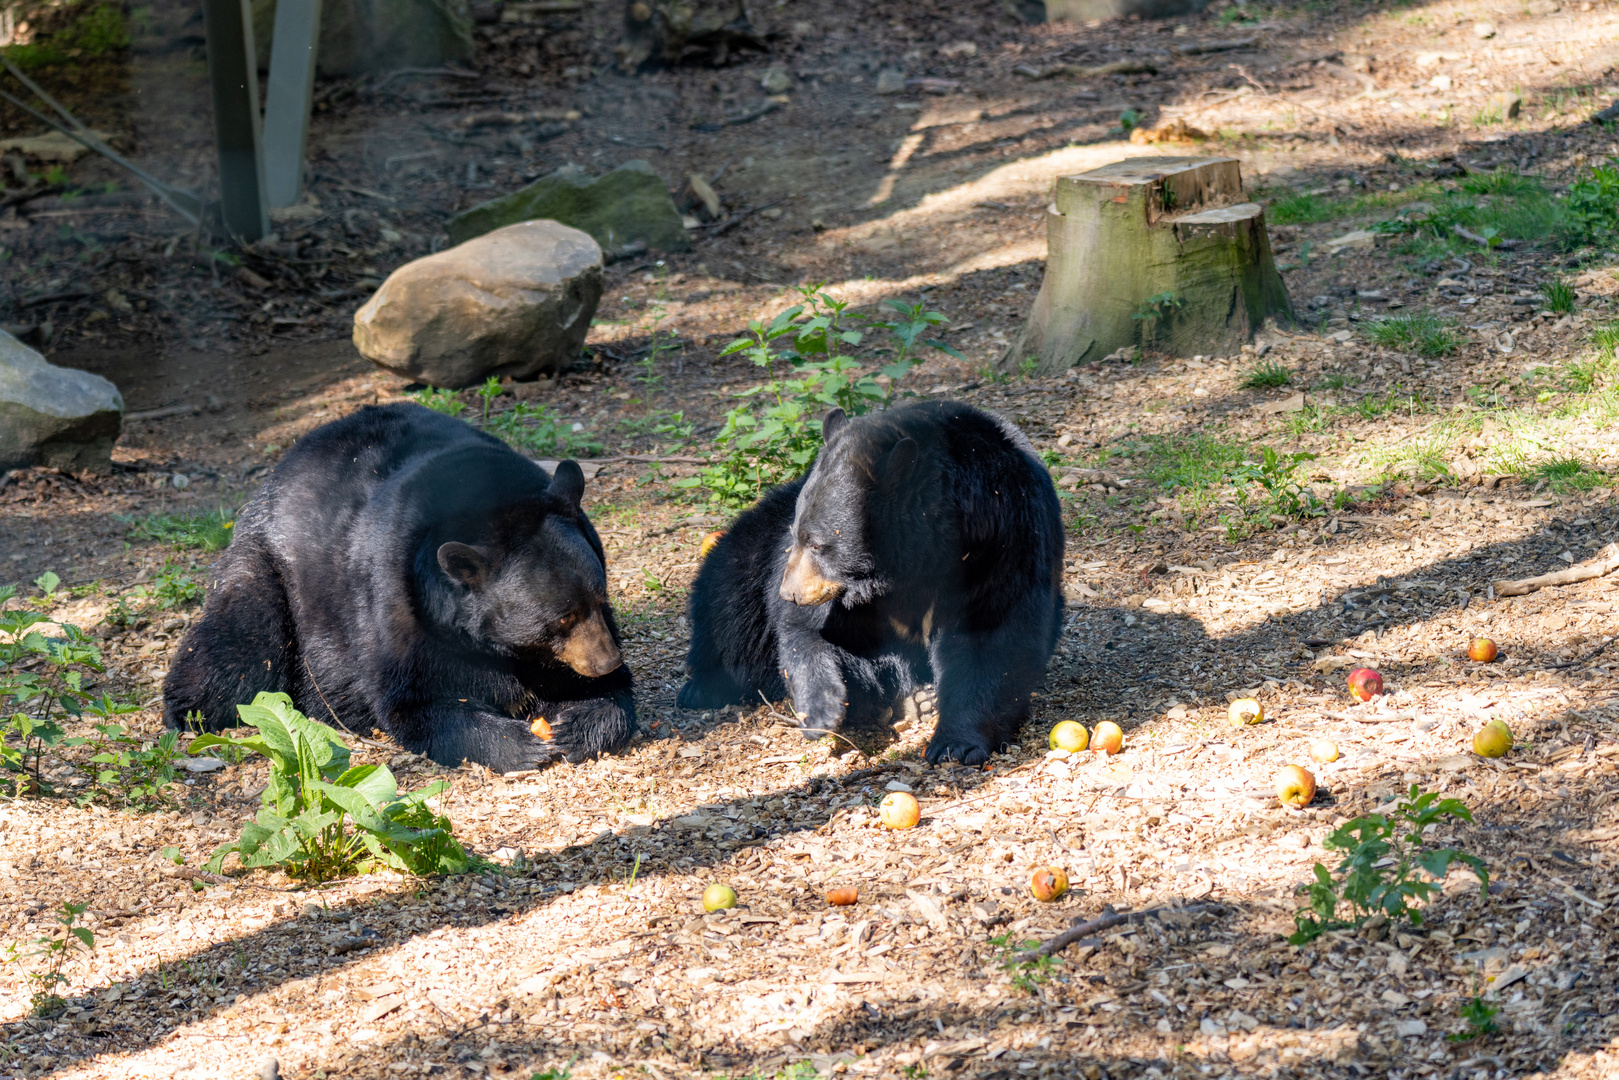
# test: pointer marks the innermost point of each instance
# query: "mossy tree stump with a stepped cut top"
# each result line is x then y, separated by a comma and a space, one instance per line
1150, 252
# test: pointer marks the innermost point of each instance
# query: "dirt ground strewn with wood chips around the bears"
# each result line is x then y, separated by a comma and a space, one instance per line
587, 950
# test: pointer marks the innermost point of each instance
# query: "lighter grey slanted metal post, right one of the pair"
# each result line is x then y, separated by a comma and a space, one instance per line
287, 98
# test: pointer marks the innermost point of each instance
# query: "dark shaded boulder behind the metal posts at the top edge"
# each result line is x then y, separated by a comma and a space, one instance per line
362, 36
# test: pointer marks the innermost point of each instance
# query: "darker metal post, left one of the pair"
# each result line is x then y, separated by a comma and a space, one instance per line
234, 74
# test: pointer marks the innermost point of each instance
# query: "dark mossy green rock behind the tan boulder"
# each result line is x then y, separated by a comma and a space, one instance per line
631, 205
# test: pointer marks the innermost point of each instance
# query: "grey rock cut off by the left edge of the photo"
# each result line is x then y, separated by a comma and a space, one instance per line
56, 417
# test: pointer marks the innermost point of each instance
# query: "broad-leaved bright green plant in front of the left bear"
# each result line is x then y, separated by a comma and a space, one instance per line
320, 817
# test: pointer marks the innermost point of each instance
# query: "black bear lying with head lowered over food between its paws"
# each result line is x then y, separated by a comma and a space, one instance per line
407, 572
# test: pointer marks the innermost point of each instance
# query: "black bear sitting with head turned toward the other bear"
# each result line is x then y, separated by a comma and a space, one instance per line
925, 545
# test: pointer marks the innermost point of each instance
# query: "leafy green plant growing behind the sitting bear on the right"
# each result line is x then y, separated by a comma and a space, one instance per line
807, 355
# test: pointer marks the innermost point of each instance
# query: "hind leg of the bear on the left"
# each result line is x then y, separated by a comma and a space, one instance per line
244, 645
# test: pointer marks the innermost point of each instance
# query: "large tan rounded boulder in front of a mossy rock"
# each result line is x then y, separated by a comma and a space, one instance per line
516, 302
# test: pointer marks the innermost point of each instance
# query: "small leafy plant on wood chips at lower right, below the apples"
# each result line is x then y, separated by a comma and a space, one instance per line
1379, 874
